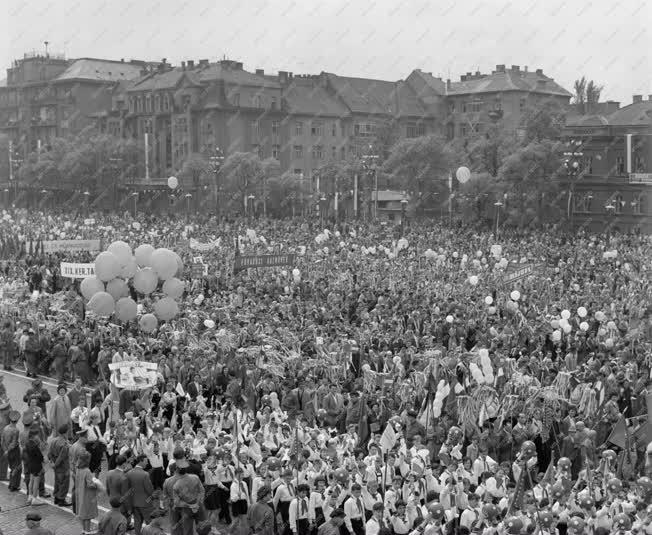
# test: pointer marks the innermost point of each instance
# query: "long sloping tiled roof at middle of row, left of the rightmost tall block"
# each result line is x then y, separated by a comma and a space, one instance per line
364, 95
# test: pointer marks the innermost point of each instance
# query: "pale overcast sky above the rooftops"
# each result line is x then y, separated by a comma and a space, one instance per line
605, 40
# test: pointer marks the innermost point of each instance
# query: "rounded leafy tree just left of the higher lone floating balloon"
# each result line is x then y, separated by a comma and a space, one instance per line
419, 165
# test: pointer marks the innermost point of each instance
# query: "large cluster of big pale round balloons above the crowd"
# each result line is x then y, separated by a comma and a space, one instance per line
108, 291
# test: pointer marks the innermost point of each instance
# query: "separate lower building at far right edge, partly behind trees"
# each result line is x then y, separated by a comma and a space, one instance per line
613, 186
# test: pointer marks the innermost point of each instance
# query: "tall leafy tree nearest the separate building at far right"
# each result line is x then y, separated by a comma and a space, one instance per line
530, 178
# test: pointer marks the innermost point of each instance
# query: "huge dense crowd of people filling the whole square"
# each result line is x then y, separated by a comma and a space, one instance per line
392, 380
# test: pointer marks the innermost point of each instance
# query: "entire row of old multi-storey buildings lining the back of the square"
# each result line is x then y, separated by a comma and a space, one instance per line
305, 121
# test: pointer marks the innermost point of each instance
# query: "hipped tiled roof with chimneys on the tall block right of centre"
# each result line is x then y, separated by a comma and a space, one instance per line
508, 81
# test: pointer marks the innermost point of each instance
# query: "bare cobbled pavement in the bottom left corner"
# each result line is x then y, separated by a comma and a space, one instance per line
12, 515
